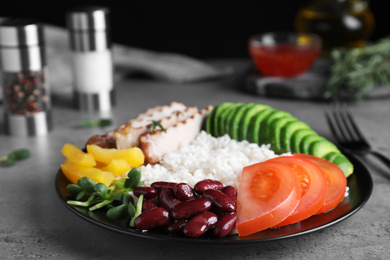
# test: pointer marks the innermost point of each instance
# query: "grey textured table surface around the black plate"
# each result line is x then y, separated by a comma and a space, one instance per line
35, 224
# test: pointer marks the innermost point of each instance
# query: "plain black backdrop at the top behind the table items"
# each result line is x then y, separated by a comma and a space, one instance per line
201, 29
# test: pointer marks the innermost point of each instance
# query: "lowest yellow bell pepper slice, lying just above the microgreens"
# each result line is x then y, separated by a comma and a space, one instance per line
73, 172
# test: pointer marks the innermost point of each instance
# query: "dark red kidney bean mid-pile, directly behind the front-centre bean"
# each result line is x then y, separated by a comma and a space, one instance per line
189, 208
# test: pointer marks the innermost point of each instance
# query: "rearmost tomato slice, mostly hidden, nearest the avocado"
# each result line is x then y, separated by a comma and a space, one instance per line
336, 180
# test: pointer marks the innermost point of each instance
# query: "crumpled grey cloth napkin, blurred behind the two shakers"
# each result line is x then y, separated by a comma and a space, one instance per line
171, 67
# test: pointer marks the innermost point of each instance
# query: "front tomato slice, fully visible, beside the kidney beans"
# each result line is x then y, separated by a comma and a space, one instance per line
267, 194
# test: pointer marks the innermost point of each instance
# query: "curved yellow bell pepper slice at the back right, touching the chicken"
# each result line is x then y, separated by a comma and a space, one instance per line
133, 156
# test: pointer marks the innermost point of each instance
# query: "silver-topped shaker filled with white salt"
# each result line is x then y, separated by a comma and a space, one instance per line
92, 59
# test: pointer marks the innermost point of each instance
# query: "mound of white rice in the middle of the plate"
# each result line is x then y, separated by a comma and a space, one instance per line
207, 157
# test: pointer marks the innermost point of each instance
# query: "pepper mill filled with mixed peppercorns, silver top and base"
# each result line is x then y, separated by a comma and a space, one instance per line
24, 78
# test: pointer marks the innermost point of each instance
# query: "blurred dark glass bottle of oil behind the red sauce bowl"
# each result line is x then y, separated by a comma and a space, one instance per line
340, 23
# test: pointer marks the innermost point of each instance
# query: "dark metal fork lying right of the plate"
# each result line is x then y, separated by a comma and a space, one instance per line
347, 133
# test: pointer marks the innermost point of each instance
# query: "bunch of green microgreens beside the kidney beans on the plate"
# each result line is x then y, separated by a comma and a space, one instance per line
116, 198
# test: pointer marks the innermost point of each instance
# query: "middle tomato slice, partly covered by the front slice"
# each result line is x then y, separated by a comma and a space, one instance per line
313, 185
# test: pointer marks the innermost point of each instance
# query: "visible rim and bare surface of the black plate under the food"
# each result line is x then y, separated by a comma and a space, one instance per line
360, 187
